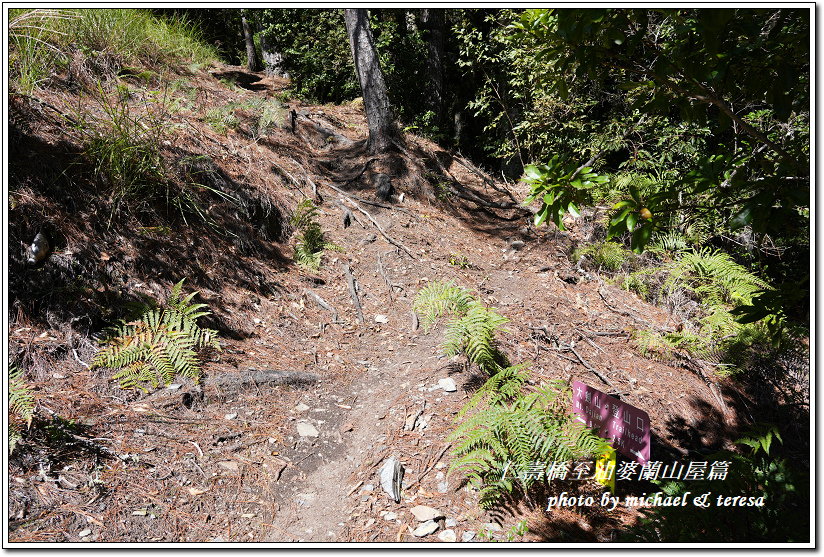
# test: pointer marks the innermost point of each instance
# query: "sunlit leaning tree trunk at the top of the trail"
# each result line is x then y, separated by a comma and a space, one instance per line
382, 128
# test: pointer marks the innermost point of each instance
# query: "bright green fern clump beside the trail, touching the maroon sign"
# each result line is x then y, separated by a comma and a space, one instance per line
513, 426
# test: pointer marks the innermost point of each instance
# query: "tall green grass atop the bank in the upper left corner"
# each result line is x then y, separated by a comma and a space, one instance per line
40, 39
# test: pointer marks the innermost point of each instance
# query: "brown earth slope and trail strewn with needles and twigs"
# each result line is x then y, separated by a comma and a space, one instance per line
226, 462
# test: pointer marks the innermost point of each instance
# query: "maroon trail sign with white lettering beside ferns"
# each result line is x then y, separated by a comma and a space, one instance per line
626, 426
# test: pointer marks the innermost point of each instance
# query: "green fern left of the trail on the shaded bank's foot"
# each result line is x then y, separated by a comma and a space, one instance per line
155, 343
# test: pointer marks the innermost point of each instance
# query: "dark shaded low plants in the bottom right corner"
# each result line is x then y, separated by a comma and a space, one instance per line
782, 514
